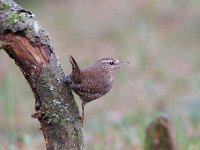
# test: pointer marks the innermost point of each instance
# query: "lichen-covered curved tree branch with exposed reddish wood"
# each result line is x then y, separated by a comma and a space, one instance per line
24, 40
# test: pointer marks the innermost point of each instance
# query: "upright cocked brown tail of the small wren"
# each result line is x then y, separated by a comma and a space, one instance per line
76, 73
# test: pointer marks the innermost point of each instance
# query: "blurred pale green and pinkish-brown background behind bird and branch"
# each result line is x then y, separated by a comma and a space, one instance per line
161, 39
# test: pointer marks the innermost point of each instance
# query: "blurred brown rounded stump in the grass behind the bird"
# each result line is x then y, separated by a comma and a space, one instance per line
160, 135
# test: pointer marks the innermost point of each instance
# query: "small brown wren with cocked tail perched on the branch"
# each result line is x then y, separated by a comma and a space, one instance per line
93, 81
